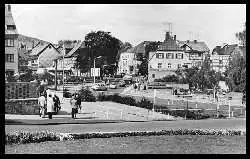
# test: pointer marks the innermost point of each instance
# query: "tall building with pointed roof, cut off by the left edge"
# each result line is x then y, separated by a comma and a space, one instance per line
11, 47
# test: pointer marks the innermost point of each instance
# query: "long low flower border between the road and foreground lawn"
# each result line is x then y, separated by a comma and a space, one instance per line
36, 137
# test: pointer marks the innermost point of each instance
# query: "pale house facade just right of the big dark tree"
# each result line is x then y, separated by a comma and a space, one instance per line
127, 63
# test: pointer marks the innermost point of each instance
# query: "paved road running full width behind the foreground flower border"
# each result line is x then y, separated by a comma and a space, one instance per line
134, 126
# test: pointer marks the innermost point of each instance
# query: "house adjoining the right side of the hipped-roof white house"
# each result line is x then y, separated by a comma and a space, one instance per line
196, 50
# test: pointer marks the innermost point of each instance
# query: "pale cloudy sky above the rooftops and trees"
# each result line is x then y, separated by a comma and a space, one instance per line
134, 23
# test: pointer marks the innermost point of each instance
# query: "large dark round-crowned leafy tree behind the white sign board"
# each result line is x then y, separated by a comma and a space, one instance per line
98, 43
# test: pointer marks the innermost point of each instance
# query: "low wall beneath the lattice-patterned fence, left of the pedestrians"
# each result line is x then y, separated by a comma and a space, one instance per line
22, 106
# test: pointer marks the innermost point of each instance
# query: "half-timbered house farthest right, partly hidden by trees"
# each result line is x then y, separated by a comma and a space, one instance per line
220, 56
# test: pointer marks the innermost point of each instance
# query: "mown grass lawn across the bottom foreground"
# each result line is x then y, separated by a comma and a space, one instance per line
185, 144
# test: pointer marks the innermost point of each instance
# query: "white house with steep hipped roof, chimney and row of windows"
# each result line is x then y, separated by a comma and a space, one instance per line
168, 58
